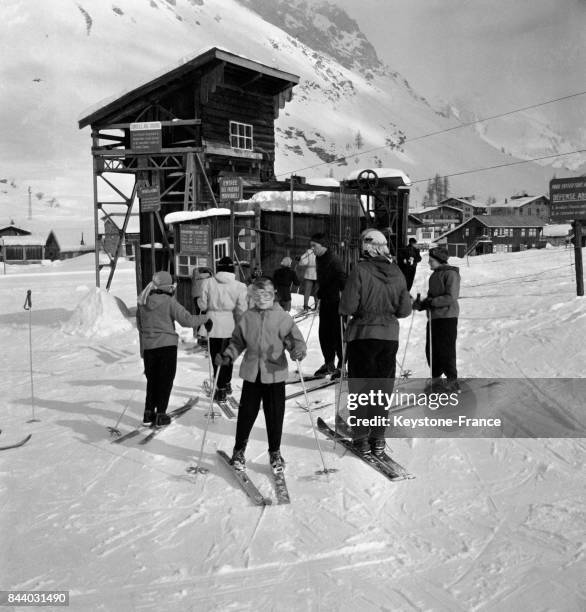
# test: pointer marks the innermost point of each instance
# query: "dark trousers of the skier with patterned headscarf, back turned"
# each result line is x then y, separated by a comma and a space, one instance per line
371, 366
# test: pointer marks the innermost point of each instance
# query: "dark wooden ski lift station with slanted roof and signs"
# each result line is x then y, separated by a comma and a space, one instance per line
197, 139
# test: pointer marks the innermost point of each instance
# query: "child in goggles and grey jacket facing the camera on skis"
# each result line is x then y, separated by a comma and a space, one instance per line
263, 333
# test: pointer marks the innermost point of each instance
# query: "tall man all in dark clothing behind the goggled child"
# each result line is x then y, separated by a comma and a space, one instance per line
330, 280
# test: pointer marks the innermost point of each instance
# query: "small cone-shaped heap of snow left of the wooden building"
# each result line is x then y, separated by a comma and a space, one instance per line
98, 315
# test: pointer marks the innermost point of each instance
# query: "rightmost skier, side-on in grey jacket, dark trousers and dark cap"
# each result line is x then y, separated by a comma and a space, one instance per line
442, 324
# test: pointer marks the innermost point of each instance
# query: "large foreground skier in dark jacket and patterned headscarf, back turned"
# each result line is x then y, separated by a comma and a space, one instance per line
375, 296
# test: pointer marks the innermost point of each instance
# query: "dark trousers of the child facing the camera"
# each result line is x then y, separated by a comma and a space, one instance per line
273, 405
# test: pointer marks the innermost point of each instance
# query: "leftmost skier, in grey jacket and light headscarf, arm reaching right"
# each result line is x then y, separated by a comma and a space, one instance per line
156, 314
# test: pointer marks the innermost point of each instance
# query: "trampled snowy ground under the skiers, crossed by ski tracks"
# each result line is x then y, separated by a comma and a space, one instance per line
488, 524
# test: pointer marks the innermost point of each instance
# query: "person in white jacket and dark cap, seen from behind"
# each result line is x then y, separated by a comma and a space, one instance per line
225, 300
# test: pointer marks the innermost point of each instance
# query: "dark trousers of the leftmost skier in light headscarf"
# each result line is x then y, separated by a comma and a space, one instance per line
160, 366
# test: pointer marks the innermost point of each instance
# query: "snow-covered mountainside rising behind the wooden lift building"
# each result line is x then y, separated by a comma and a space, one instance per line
62, 56
